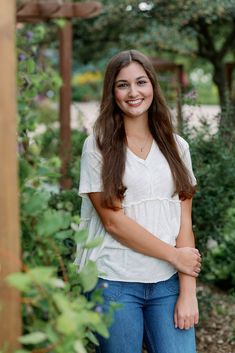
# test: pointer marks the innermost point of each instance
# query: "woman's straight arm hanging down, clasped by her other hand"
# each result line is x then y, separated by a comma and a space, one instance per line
186, 309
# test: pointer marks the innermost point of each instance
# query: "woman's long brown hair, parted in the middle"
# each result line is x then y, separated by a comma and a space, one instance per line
111, 137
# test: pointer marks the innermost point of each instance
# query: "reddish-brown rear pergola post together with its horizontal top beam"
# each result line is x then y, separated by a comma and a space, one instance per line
42, 10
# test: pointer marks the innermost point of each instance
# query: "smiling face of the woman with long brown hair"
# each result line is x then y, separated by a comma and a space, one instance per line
133, 91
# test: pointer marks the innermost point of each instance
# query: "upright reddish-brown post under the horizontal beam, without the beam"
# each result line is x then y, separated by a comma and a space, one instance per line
65, 36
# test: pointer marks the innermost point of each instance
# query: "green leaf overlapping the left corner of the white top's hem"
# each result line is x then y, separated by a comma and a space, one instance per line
89, 276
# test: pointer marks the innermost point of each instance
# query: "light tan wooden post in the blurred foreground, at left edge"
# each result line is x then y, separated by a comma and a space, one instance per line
10, 316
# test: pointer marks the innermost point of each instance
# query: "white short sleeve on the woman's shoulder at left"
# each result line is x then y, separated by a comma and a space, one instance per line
91, 164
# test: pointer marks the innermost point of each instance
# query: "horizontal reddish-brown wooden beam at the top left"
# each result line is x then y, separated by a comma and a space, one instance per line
39, 11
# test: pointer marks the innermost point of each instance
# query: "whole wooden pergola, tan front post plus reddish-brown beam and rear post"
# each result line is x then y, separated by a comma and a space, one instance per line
30, 11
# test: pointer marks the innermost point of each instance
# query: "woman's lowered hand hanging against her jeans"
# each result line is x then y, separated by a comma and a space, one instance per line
186, 313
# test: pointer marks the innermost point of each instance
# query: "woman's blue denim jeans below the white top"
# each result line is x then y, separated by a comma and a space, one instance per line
147, 314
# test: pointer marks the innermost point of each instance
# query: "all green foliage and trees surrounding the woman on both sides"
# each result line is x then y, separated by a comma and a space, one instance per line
57, 316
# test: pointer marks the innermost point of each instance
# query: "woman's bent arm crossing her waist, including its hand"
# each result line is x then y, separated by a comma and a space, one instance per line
136, 237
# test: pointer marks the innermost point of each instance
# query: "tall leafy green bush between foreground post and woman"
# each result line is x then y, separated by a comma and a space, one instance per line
57, 316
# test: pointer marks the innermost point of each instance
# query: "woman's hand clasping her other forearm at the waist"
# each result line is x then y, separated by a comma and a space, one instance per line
188, 261
